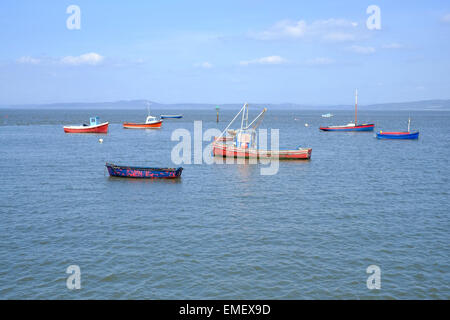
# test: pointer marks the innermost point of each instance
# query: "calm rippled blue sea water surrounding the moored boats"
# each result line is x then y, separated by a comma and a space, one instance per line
224, 231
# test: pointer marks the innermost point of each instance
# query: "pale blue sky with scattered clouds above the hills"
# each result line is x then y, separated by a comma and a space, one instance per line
305, 52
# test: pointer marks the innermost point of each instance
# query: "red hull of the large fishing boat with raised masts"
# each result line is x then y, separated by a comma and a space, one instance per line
220, 150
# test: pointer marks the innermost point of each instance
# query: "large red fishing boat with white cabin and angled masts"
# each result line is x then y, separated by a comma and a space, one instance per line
244, 142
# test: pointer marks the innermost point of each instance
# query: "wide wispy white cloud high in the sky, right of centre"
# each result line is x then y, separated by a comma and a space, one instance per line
334, 30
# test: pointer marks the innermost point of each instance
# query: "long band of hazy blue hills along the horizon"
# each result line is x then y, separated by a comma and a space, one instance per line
140, 104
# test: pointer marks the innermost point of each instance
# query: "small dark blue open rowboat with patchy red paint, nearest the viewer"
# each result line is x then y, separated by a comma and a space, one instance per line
143, 172
